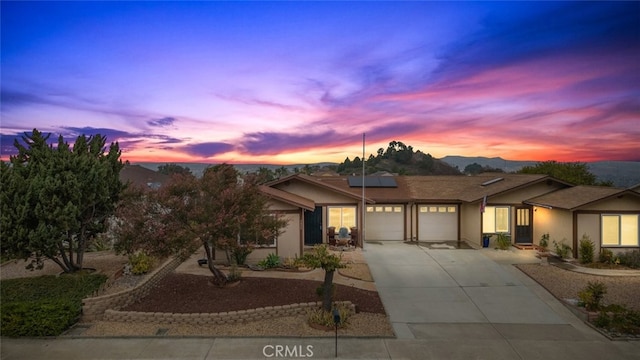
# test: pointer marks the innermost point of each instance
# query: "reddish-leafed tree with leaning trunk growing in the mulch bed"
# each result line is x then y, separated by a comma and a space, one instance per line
212, 211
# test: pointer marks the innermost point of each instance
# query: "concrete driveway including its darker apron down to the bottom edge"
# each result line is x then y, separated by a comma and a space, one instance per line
462, 303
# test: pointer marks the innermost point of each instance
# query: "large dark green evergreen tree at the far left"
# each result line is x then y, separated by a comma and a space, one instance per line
55, 200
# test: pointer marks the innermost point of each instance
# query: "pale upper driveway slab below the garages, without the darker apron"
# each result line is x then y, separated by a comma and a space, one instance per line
423, 286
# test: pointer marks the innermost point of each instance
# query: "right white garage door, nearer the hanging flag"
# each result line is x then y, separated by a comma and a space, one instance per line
437, 222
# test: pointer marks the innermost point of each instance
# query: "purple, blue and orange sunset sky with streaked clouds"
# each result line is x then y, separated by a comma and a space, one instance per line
300, 82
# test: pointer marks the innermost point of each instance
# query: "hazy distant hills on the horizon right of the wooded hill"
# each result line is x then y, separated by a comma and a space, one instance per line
623, 174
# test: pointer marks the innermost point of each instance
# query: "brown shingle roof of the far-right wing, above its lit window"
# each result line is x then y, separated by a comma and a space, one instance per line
576, 197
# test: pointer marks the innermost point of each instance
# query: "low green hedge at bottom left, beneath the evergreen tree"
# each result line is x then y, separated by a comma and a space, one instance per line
45, 305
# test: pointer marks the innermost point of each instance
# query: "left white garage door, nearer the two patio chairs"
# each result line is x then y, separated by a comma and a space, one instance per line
384, 222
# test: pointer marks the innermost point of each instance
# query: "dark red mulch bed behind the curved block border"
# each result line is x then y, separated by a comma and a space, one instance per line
185, 293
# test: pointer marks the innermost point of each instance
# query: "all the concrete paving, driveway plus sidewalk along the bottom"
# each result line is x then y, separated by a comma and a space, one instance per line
443, 304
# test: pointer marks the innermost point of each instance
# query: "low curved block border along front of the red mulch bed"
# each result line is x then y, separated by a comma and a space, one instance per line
231, 317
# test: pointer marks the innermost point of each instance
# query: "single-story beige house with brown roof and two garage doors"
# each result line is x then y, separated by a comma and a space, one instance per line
450, 208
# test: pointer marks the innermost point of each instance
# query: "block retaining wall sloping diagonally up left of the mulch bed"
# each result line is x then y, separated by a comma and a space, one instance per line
94, 308
